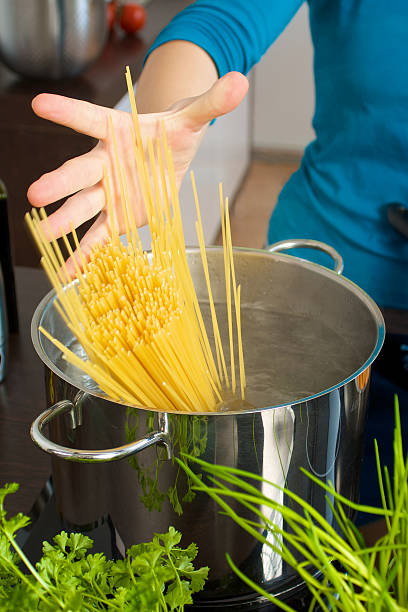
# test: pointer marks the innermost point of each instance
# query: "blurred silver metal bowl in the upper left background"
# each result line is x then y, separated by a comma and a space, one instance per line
51, 38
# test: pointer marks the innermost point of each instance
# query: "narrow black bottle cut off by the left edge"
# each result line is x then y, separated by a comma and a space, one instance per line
7, 263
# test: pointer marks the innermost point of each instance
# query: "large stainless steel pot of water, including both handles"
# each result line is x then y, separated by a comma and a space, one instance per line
310, 336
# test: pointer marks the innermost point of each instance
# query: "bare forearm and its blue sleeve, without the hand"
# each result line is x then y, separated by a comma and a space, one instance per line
205, 41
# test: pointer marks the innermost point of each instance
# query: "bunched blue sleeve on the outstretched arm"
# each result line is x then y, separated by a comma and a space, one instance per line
235, 33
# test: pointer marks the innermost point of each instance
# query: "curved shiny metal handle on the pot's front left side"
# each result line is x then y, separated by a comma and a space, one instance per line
94, 456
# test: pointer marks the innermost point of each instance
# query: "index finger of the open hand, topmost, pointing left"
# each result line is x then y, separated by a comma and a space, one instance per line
78, 115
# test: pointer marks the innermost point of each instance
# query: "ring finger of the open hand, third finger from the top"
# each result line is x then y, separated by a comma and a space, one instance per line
76, 210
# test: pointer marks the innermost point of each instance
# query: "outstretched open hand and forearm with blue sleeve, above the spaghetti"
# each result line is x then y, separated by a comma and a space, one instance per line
180, 75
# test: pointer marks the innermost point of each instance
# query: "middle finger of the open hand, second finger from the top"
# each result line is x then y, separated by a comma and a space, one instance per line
75, 174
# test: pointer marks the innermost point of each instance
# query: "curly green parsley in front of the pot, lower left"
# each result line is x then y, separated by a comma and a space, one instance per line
158, 576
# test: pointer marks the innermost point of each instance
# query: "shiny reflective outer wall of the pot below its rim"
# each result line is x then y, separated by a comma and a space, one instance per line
148, 492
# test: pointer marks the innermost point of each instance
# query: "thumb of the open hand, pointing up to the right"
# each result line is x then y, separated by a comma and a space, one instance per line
221, 98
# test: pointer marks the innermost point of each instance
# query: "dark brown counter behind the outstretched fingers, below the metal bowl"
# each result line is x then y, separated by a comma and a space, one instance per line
31, 146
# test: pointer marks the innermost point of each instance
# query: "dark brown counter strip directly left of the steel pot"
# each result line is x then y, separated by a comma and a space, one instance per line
22, 398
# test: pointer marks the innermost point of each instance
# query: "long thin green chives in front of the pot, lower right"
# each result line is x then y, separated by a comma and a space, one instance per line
355, 577
